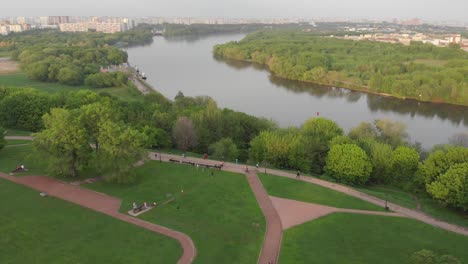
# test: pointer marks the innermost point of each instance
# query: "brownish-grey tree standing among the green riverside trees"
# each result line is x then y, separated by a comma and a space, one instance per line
184, 133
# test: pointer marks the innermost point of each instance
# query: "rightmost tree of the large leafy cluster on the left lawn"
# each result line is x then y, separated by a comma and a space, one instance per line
121, 148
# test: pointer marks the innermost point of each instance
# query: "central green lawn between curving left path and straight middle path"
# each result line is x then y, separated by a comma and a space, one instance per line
219, 213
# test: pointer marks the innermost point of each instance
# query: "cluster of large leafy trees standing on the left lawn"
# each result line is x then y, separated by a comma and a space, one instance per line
65, 142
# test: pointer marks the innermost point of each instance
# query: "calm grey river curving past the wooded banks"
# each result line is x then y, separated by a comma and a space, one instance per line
188, 65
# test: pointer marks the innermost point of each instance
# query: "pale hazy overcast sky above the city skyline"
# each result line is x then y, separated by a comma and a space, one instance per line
374, 9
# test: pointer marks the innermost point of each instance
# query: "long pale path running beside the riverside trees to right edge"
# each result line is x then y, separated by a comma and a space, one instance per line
334, 186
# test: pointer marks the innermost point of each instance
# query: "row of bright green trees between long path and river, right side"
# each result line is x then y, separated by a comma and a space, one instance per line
371, 153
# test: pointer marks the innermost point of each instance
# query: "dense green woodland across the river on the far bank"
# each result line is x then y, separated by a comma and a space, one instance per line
420, 71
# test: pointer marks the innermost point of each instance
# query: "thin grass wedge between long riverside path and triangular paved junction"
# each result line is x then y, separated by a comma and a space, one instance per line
308, 192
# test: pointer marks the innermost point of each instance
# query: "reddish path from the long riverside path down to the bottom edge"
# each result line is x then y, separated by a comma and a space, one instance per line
274, 230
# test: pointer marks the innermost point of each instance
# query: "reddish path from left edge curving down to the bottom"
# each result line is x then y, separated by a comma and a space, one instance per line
104, 204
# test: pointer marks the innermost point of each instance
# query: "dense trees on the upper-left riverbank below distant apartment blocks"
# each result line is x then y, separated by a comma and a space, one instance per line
73, 58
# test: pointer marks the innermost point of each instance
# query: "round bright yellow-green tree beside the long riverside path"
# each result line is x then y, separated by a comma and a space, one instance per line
348, 163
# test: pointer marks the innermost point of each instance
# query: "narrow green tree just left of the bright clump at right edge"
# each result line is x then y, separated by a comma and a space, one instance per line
405, 162
